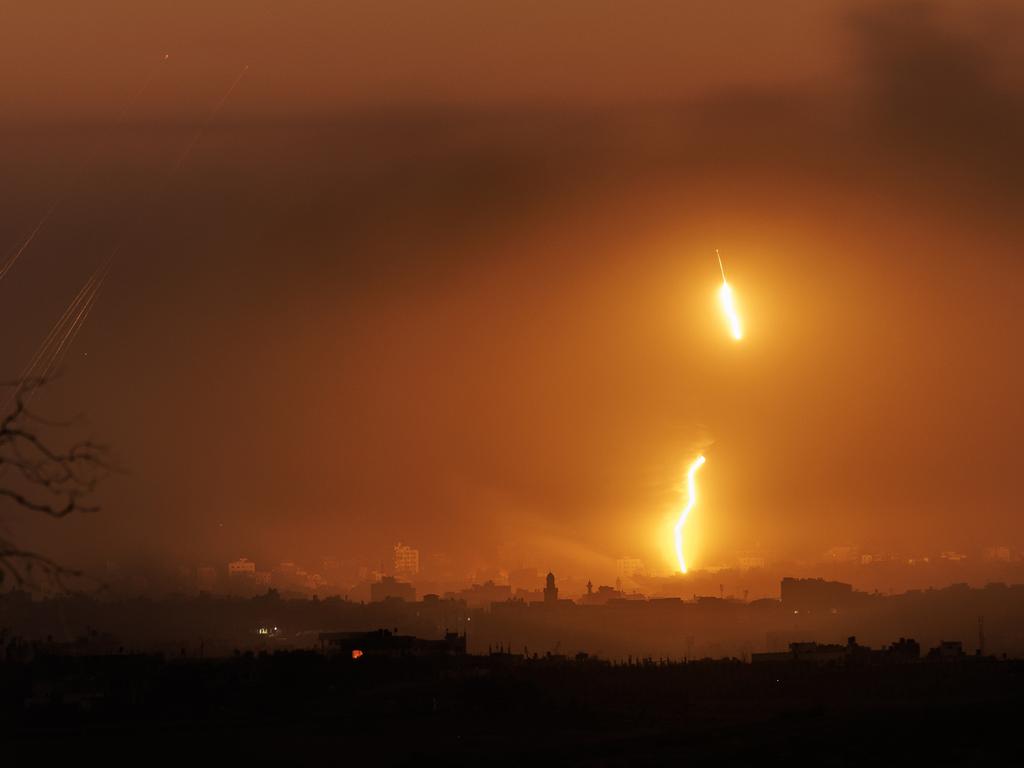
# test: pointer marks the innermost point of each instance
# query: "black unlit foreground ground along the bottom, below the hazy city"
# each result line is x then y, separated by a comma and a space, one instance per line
304, 708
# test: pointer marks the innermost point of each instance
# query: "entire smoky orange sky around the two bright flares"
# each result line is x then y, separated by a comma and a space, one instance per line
449, 278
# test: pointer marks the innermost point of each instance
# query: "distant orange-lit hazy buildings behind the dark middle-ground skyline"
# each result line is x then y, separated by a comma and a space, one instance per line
751, 576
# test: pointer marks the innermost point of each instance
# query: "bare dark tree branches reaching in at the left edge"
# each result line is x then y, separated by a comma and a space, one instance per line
40, 477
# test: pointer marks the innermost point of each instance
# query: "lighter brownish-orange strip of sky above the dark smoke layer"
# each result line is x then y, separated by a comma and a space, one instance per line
322, 57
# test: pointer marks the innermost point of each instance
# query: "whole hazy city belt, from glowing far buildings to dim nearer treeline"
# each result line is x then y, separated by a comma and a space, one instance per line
754, 608
